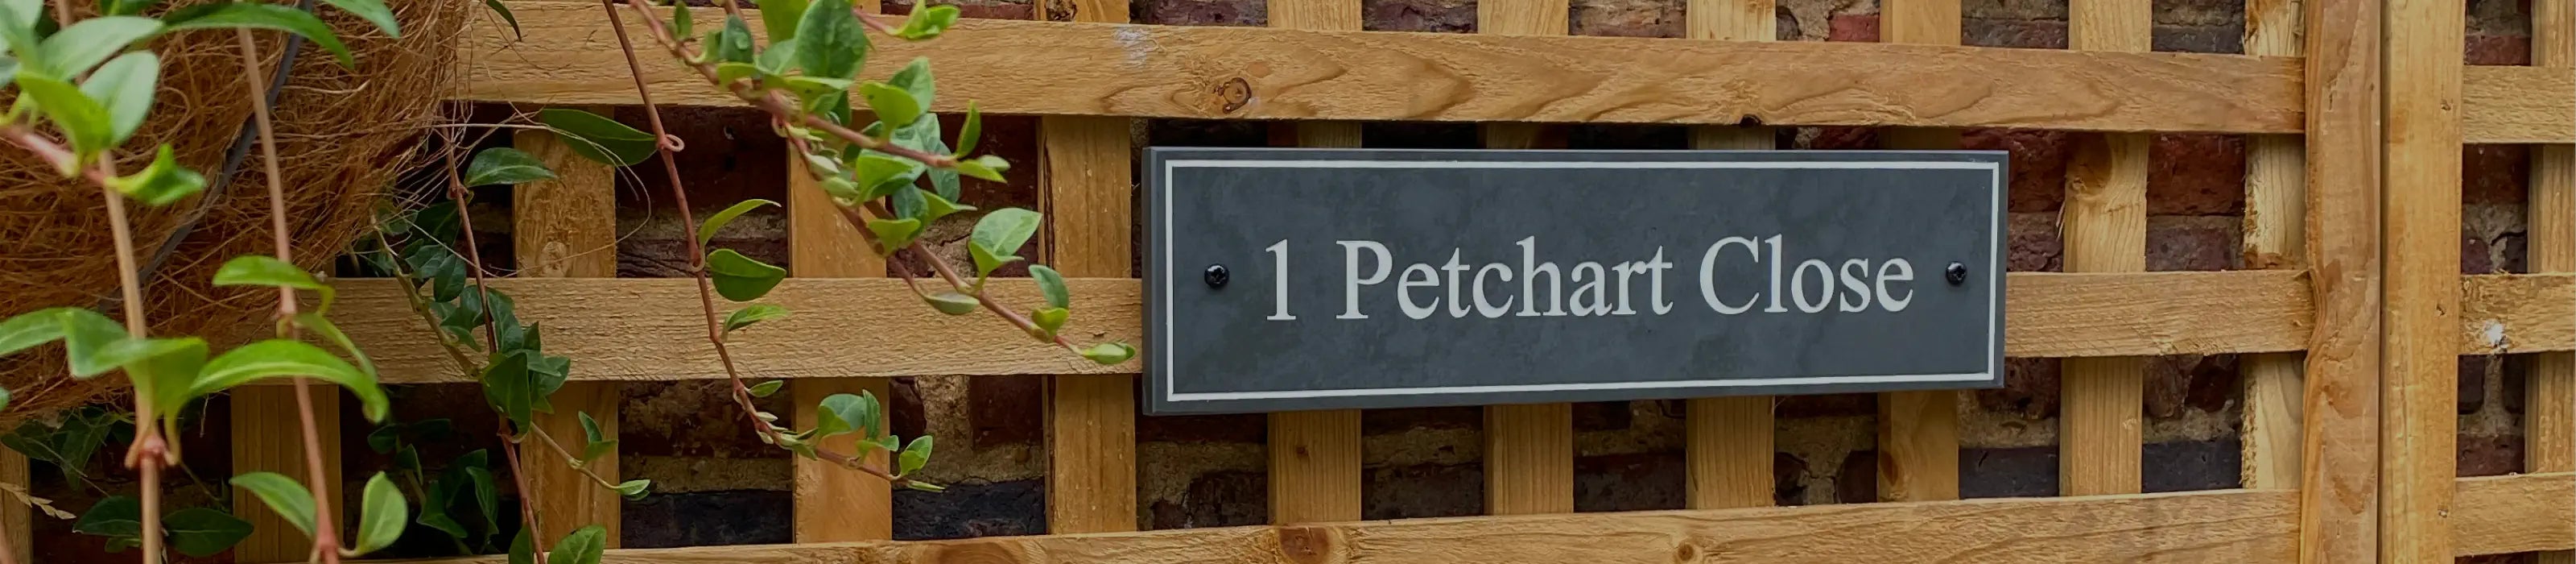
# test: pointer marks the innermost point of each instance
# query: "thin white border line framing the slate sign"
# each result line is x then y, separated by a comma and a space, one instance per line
1995, 318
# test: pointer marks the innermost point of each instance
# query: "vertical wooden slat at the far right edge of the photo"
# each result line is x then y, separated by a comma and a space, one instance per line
2552, 411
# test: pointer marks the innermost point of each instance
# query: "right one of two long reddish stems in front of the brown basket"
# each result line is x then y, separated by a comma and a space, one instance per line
326, 527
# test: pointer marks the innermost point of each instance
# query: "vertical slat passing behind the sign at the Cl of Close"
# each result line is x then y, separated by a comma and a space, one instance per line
1730, 439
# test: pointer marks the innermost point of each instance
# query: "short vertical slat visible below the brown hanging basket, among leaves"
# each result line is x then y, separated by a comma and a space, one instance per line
269, 437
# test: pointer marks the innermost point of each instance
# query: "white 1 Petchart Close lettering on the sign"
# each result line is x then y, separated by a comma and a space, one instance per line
1529, 285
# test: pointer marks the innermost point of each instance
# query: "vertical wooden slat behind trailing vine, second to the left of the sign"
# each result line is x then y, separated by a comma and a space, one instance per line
833, 503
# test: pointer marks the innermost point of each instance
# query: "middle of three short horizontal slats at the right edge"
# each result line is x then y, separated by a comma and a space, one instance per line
2521, 313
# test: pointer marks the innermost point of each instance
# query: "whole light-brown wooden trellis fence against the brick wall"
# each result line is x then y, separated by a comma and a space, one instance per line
2353, 321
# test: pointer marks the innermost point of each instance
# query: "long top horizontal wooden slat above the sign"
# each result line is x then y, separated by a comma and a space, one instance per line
1377, 76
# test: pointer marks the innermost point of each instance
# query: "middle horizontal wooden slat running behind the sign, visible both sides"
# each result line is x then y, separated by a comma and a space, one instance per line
650, 328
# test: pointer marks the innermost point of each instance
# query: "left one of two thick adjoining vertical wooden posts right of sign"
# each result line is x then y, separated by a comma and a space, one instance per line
2340, 418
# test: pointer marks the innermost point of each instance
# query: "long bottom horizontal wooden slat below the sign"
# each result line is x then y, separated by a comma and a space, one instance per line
2196, 527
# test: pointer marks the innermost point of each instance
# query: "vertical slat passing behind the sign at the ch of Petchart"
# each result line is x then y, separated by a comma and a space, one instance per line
1529, 449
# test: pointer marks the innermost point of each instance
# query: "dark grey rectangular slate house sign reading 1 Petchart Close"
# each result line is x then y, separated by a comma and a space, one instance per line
1323, 279
